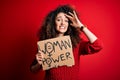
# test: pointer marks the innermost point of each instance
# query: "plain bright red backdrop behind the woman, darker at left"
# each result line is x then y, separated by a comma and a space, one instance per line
20, 21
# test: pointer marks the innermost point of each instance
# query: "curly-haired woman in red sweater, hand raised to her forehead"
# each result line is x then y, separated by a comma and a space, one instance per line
60, 22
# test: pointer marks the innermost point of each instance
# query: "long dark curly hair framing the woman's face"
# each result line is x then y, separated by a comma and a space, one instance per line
48, 30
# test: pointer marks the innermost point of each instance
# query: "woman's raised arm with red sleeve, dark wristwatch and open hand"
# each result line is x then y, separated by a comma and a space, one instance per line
87, 47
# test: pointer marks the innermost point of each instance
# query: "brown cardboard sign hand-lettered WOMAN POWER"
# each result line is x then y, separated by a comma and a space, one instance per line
56, 52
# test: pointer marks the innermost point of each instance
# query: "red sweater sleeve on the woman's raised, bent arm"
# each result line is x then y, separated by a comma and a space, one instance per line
89, 48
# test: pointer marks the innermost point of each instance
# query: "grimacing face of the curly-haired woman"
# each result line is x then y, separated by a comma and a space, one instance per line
61, 23
